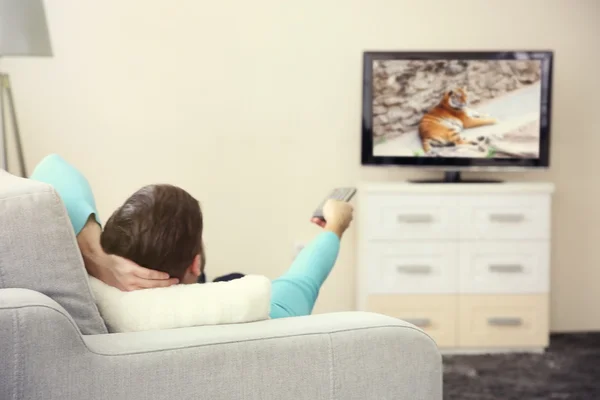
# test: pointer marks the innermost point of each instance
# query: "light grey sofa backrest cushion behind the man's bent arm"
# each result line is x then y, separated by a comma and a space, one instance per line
38, 249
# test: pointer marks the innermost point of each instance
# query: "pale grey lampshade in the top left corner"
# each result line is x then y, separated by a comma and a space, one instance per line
23, 29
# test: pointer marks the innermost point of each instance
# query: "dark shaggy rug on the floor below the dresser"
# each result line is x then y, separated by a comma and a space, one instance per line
569, 369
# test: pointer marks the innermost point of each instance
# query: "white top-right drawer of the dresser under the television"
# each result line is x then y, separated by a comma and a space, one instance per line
505, 217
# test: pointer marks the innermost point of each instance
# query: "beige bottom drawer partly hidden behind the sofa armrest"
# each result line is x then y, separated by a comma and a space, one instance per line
436, 315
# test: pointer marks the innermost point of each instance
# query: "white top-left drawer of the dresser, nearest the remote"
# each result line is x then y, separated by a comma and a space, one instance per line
398, 217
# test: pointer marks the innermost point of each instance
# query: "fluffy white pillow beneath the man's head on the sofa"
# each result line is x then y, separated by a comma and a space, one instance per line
242, 300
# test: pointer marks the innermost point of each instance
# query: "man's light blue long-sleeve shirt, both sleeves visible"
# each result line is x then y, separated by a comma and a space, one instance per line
293, 294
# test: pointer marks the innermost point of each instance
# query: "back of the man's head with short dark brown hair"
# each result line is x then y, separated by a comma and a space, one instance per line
159, 227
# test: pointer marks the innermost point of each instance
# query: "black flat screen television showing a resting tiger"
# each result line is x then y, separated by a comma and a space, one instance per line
457, 110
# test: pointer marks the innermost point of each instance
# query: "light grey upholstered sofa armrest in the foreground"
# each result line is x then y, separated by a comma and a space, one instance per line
330, 356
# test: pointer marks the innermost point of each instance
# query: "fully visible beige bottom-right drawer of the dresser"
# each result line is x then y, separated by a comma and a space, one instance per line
503, 321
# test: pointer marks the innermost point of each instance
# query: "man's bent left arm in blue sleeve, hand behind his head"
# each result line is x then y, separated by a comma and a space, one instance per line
76, 193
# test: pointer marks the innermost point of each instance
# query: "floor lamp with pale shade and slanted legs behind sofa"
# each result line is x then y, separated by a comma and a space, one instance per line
23, 33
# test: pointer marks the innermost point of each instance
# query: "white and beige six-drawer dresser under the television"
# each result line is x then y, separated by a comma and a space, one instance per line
468, 263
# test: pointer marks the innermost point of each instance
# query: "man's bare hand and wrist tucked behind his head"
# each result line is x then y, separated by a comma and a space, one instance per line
113, 270
